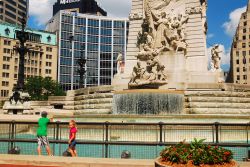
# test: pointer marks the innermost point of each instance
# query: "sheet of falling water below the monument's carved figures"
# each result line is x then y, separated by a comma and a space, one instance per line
147, 102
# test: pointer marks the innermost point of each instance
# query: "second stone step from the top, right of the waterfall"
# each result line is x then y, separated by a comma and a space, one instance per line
217, 99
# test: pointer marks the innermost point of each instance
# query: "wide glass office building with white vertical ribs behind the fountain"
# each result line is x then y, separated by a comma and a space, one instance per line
97, 38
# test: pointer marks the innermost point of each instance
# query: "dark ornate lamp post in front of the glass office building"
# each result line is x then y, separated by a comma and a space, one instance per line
81, 70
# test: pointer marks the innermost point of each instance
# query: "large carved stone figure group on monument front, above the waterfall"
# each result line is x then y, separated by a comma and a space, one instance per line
162, 30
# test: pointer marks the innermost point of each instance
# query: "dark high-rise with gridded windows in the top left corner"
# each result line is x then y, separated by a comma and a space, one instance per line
12, 11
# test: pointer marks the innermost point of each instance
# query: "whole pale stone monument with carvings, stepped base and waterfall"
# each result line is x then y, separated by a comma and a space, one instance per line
165, 69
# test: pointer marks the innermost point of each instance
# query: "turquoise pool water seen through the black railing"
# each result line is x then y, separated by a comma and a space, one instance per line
98, 150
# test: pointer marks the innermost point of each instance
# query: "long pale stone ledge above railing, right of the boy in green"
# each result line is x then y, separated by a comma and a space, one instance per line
158, 118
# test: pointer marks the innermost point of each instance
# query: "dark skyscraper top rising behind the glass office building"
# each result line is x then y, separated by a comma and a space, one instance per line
80, 6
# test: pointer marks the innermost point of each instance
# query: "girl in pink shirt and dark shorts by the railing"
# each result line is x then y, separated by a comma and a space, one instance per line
72, 137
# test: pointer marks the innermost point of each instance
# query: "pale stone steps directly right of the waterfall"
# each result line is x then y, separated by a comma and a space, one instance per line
217, 102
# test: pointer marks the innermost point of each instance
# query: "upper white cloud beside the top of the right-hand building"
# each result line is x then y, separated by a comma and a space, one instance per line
234, 17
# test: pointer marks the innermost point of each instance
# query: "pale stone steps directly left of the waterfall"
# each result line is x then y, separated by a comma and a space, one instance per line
94, 100
